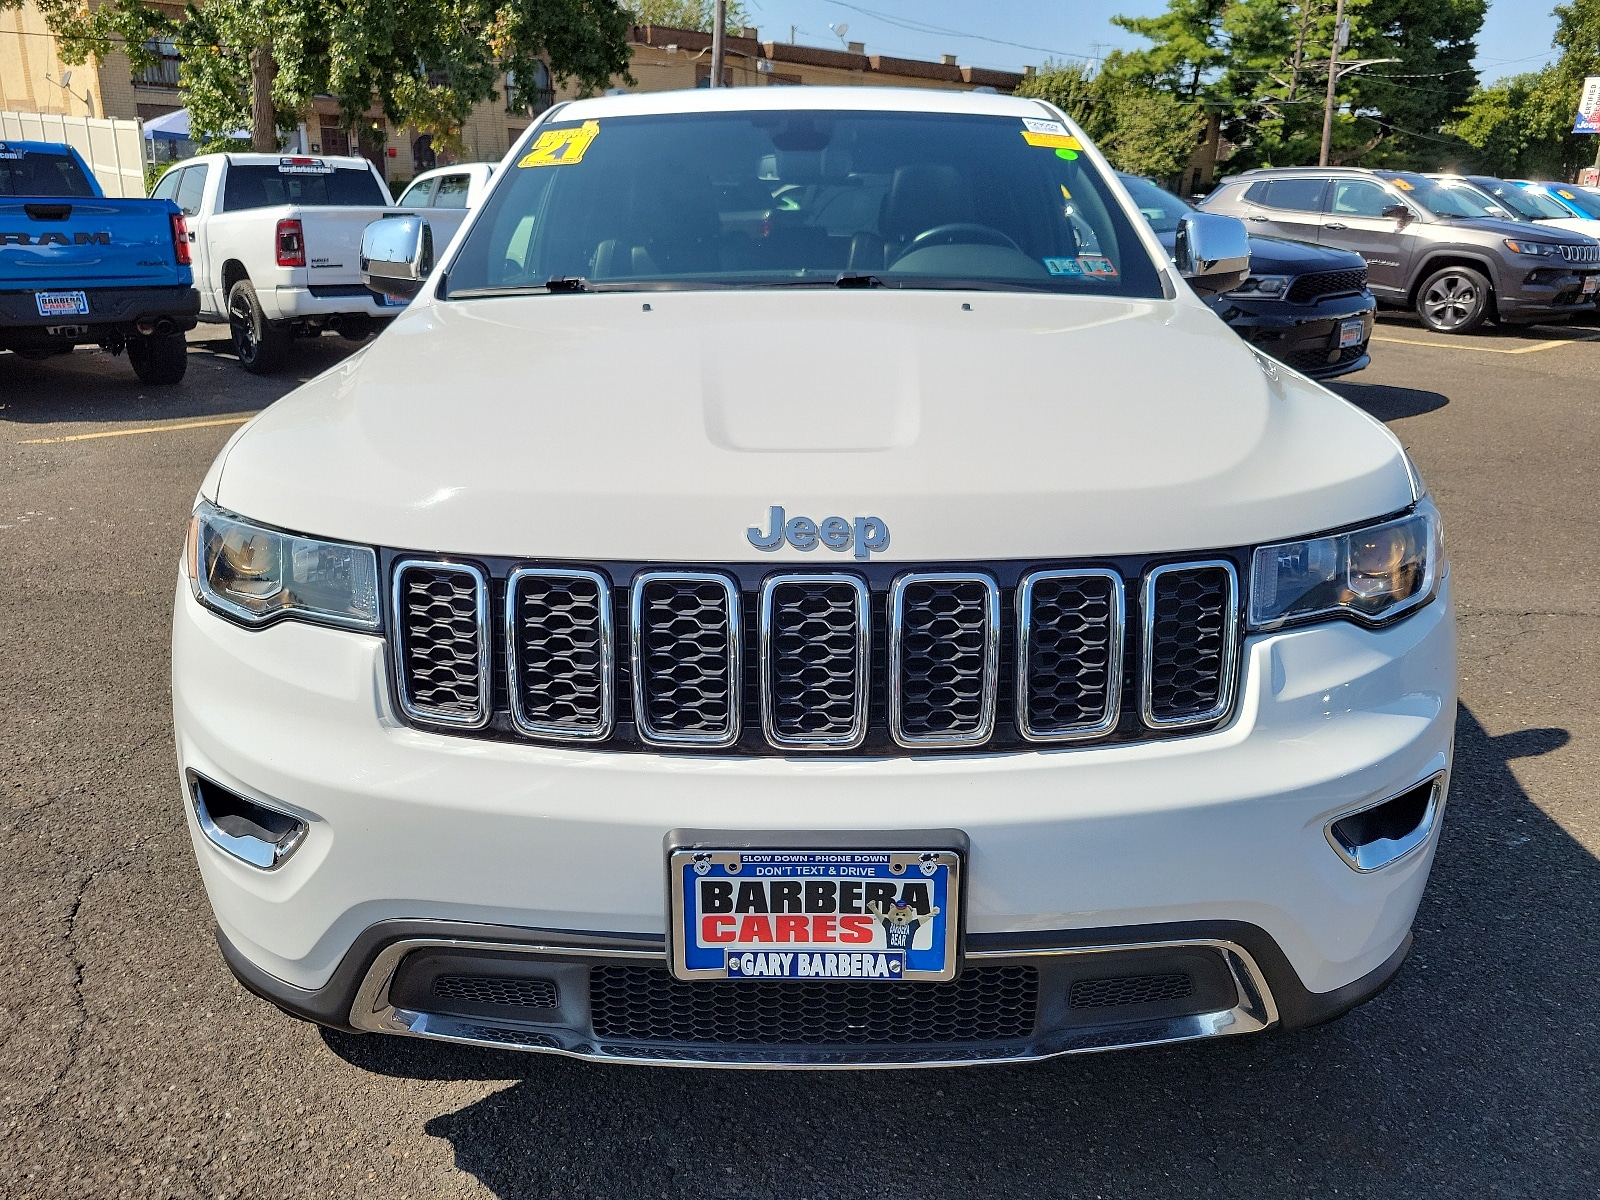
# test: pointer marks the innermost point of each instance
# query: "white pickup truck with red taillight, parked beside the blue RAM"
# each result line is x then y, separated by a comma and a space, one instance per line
276, 246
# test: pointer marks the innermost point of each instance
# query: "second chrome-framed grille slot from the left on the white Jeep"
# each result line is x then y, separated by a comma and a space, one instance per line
566, 665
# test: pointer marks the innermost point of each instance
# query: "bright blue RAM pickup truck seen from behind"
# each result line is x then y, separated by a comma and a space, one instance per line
82, 270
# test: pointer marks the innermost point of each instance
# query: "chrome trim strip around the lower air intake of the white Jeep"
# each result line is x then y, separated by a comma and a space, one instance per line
372, 1012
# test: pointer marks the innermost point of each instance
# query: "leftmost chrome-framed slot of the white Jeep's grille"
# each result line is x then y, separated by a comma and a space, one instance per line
458, 660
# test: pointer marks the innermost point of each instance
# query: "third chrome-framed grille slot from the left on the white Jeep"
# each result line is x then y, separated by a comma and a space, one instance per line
654, 658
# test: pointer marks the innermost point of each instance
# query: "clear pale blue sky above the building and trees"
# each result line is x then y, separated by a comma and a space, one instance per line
1516, 36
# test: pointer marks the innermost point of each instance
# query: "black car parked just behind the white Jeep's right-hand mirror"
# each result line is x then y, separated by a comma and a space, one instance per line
1308, 306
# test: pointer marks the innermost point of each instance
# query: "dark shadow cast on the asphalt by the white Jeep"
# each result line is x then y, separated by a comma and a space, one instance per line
1476, 1074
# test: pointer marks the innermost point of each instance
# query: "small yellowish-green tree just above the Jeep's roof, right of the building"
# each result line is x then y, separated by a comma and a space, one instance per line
1138, 129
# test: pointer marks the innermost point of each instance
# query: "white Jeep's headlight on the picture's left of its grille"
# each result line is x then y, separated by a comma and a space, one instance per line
258, 575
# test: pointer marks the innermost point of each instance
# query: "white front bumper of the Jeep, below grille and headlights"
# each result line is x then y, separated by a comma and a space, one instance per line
1071, 849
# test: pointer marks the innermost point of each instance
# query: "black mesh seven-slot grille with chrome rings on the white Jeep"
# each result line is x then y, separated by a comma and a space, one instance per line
1052, 657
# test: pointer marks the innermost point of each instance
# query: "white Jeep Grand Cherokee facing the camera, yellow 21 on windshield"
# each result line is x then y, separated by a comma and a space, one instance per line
809, 583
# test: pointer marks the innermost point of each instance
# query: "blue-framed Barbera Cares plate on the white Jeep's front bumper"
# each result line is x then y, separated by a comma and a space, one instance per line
815, 914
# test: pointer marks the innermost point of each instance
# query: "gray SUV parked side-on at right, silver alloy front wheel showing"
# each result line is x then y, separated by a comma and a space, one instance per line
1425, 247
